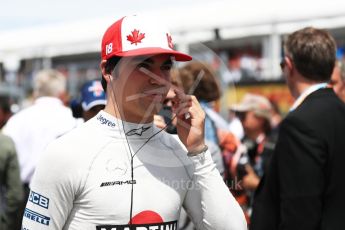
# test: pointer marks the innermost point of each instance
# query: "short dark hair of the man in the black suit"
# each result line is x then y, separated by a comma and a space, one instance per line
313, 52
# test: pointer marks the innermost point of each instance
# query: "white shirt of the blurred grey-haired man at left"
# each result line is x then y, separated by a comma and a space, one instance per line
34, 127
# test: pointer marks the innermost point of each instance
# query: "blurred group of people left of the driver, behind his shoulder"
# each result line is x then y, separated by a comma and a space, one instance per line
25, 134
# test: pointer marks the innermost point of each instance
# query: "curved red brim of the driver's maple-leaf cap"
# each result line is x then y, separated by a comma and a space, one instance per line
154, 51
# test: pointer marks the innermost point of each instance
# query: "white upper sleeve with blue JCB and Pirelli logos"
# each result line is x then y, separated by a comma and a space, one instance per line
52, 192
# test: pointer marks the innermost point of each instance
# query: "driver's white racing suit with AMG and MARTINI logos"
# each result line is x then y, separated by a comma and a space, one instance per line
84, 181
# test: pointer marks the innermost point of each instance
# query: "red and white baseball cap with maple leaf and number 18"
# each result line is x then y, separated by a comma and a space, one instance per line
137, 36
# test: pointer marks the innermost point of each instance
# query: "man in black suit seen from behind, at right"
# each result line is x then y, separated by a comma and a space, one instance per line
304, 186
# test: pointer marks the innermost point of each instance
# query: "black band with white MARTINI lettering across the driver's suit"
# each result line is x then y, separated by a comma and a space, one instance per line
172, 225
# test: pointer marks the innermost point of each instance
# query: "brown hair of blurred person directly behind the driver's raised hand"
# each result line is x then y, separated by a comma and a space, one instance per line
208, 88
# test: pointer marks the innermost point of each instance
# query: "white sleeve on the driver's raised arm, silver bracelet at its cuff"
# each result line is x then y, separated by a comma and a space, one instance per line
209, 202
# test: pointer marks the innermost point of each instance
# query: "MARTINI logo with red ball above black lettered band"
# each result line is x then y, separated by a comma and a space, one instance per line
145, 220
